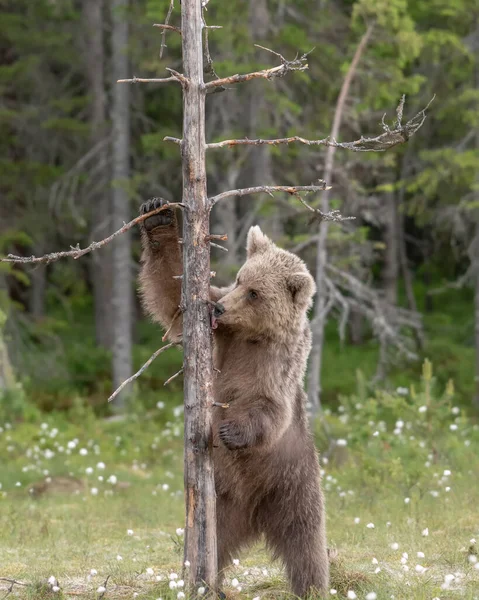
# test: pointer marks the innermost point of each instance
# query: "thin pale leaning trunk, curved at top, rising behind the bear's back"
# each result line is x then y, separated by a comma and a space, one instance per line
320, 316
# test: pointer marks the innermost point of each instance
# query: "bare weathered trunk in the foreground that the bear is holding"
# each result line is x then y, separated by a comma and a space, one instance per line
200, 497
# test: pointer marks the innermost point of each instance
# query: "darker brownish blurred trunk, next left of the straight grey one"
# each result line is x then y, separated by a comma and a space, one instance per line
101, 210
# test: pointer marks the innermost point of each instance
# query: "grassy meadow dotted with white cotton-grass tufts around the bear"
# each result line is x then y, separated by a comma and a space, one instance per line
82, 522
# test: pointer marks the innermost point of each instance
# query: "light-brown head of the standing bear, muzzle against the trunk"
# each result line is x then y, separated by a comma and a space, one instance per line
273, 291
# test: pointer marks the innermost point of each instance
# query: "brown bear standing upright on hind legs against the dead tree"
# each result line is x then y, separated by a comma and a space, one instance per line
267, 474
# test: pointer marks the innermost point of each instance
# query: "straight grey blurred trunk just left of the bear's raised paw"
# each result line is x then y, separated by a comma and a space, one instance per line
121, 247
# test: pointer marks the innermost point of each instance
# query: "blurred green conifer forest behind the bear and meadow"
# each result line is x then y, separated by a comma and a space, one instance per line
401, 278
